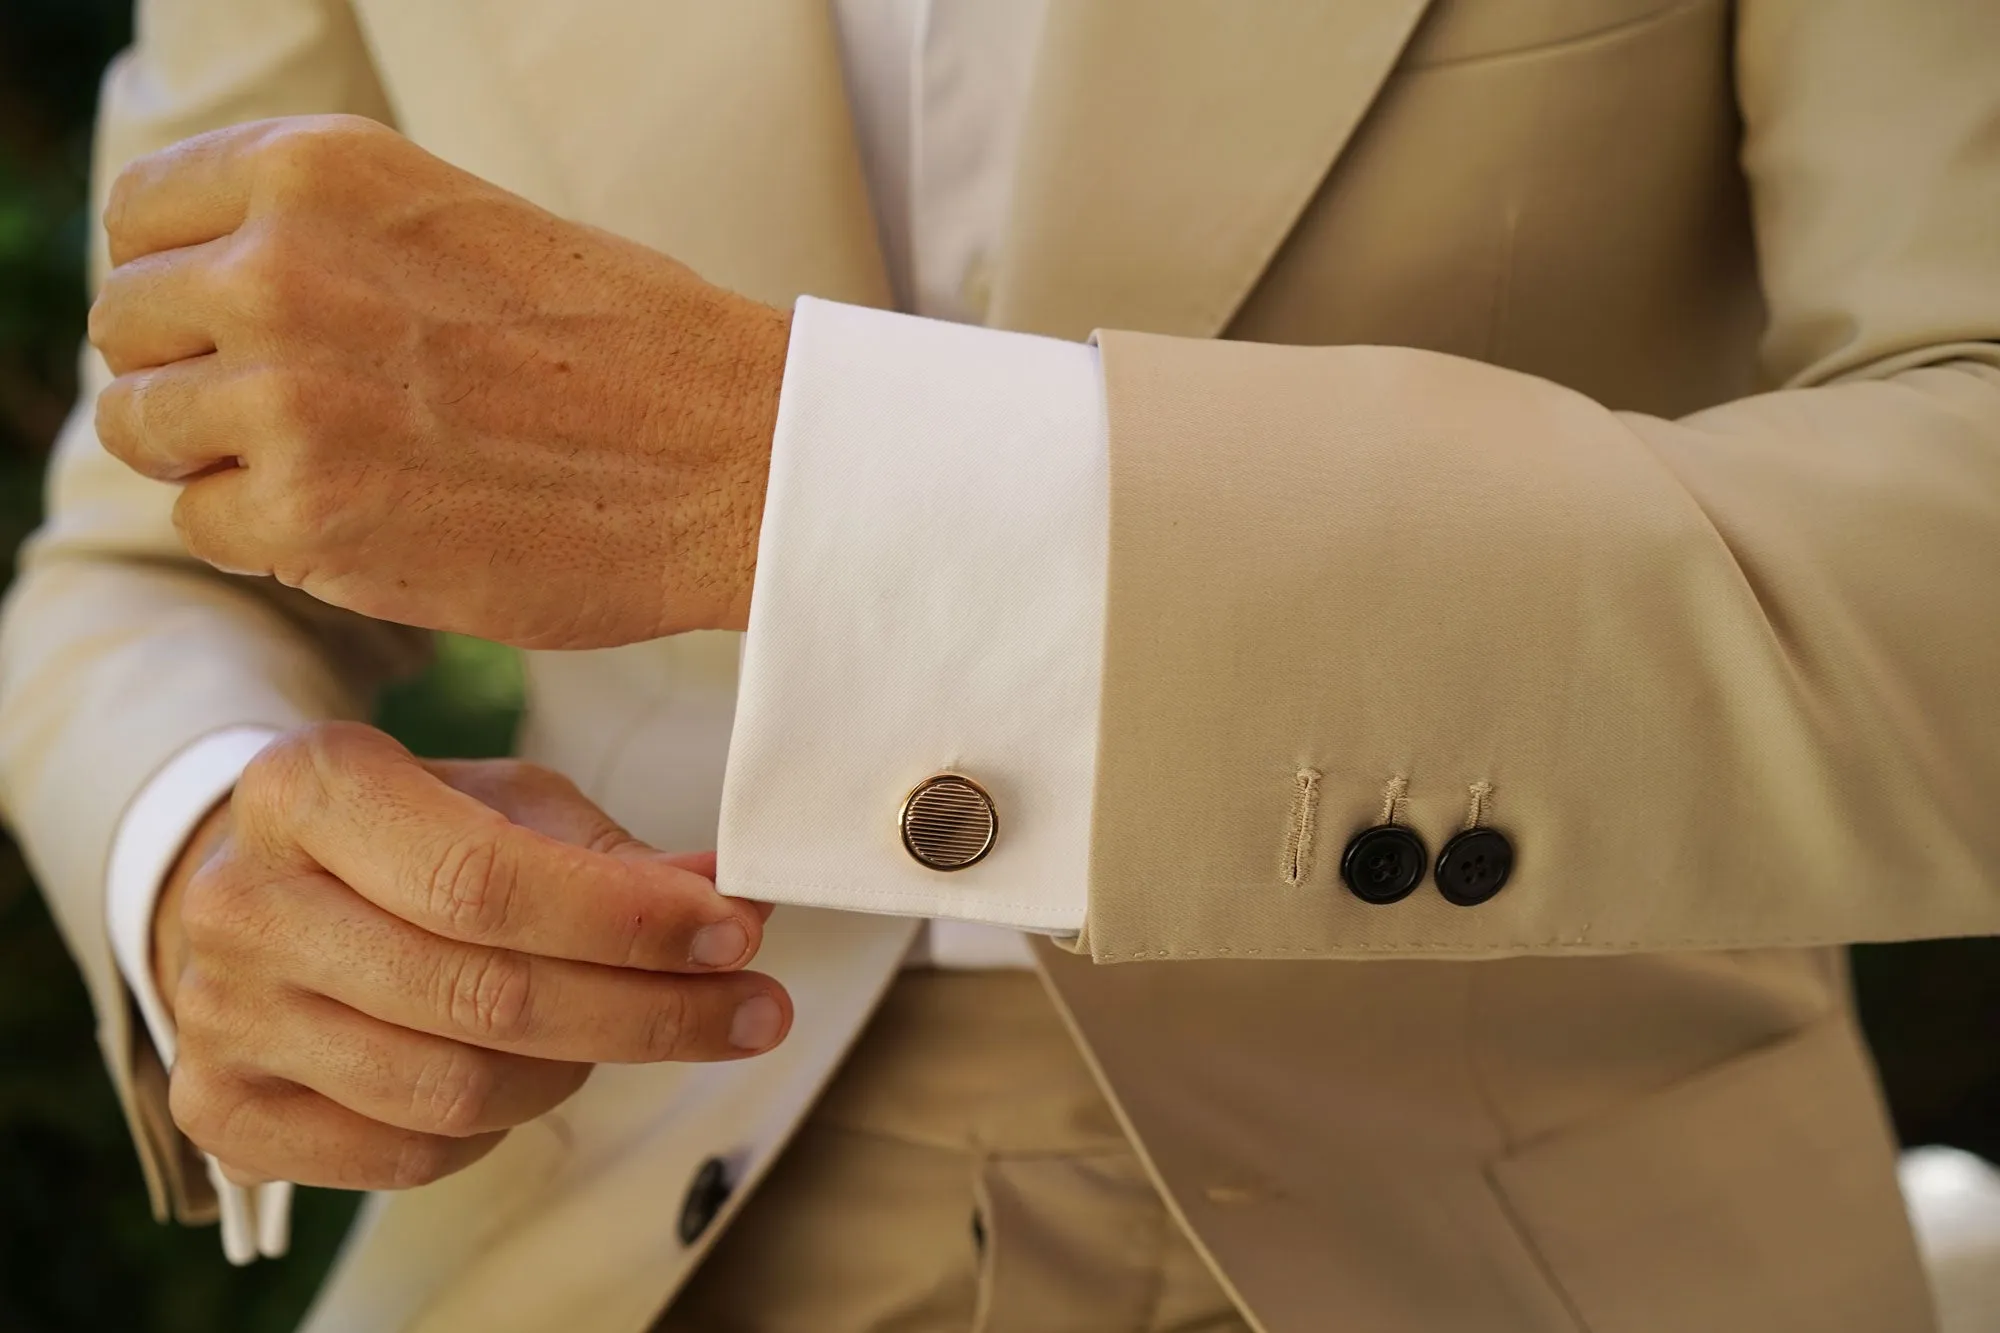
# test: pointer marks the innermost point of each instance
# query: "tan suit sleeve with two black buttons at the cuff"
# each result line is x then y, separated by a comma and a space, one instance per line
1725, 682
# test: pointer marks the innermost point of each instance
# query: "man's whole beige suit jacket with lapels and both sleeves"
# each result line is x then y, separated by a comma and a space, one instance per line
1633, 485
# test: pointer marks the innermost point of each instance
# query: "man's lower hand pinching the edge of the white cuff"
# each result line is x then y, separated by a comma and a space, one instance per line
381, 966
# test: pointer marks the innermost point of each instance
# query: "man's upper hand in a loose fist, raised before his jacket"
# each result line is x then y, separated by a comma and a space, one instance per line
425, 399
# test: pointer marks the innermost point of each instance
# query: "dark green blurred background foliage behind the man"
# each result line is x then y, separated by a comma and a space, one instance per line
79, 1252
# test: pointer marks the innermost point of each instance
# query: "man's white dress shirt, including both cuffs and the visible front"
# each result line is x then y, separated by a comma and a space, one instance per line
931, 573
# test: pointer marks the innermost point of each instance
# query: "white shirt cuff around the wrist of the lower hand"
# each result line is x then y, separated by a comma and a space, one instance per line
151, 836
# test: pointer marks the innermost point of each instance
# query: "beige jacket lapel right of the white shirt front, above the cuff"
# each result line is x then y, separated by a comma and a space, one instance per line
1171, 147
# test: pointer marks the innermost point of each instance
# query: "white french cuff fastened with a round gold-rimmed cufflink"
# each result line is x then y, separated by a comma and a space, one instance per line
929, 599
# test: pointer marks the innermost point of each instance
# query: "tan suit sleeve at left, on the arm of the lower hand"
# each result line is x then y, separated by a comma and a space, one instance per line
115, 647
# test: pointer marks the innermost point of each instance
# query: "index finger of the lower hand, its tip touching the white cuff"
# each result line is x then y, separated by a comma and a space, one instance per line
453, 866
